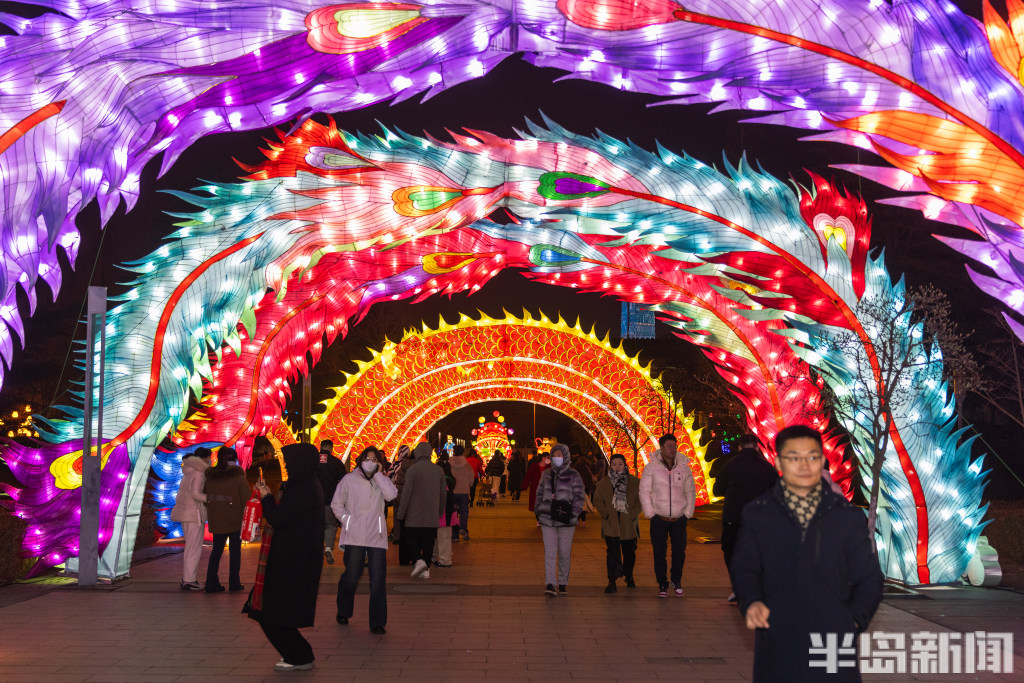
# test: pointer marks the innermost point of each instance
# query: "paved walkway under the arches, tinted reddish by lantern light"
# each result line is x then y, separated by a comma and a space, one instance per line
486, 619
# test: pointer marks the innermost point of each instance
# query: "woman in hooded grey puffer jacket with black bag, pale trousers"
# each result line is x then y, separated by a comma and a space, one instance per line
560, 502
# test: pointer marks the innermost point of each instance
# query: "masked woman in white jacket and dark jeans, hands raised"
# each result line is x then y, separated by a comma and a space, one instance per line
360, 506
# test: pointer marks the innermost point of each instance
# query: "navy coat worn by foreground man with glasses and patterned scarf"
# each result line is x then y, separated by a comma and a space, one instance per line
830, 582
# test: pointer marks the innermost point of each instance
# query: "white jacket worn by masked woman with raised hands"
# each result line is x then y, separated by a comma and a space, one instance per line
360, 505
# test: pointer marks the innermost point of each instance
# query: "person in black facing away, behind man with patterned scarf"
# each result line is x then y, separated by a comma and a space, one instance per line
745, 477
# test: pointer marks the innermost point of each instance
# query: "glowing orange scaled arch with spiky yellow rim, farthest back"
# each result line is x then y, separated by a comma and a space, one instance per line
409, 386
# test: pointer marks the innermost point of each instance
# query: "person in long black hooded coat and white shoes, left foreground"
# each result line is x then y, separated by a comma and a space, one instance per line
288, 600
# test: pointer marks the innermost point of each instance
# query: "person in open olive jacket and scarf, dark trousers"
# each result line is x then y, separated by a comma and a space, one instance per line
617, 499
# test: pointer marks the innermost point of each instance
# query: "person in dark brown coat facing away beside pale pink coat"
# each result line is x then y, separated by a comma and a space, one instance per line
228, 493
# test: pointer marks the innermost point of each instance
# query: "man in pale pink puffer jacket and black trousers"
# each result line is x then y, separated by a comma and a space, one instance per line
668, 495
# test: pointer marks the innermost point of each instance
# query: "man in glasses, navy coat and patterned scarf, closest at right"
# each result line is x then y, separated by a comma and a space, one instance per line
803, 569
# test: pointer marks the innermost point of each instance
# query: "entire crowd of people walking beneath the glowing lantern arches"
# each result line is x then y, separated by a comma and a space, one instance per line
774, 519
